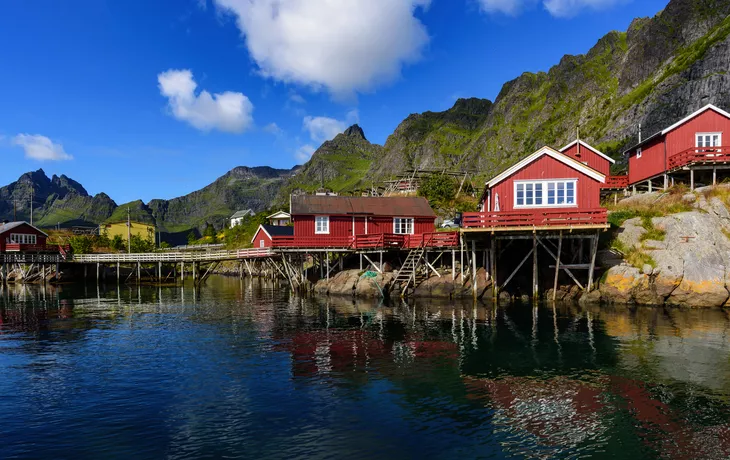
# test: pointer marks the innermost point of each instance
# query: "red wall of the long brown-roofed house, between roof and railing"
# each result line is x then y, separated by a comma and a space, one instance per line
342, 225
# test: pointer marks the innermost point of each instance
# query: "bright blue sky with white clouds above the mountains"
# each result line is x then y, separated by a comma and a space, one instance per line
146, 100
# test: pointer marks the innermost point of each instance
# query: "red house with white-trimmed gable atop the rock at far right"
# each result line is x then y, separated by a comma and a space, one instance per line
692, 144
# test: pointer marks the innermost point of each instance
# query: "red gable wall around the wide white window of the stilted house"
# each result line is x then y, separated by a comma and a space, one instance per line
588, 191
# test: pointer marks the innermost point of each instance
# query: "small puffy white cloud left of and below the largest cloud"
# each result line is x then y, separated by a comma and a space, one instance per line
229, 111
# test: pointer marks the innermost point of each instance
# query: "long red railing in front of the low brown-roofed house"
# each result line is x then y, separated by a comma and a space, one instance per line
377, 241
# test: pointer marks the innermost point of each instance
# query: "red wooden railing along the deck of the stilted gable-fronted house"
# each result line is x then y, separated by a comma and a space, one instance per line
536, 218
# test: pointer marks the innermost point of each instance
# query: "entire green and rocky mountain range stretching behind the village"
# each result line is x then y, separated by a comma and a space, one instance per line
655, 73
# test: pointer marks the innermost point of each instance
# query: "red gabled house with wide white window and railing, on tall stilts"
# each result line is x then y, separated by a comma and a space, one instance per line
547, 188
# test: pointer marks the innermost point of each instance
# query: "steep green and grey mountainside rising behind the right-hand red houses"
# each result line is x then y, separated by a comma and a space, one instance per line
654, 74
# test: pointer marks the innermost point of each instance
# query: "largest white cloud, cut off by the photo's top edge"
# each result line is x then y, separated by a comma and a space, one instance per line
344, 46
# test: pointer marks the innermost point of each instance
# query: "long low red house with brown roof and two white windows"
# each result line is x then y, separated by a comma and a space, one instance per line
344, 221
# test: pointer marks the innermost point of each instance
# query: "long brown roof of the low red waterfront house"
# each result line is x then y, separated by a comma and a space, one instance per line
376, 206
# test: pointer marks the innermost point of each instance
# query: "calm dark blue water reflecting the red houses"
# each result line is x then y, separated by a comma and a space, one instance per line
247, 371
